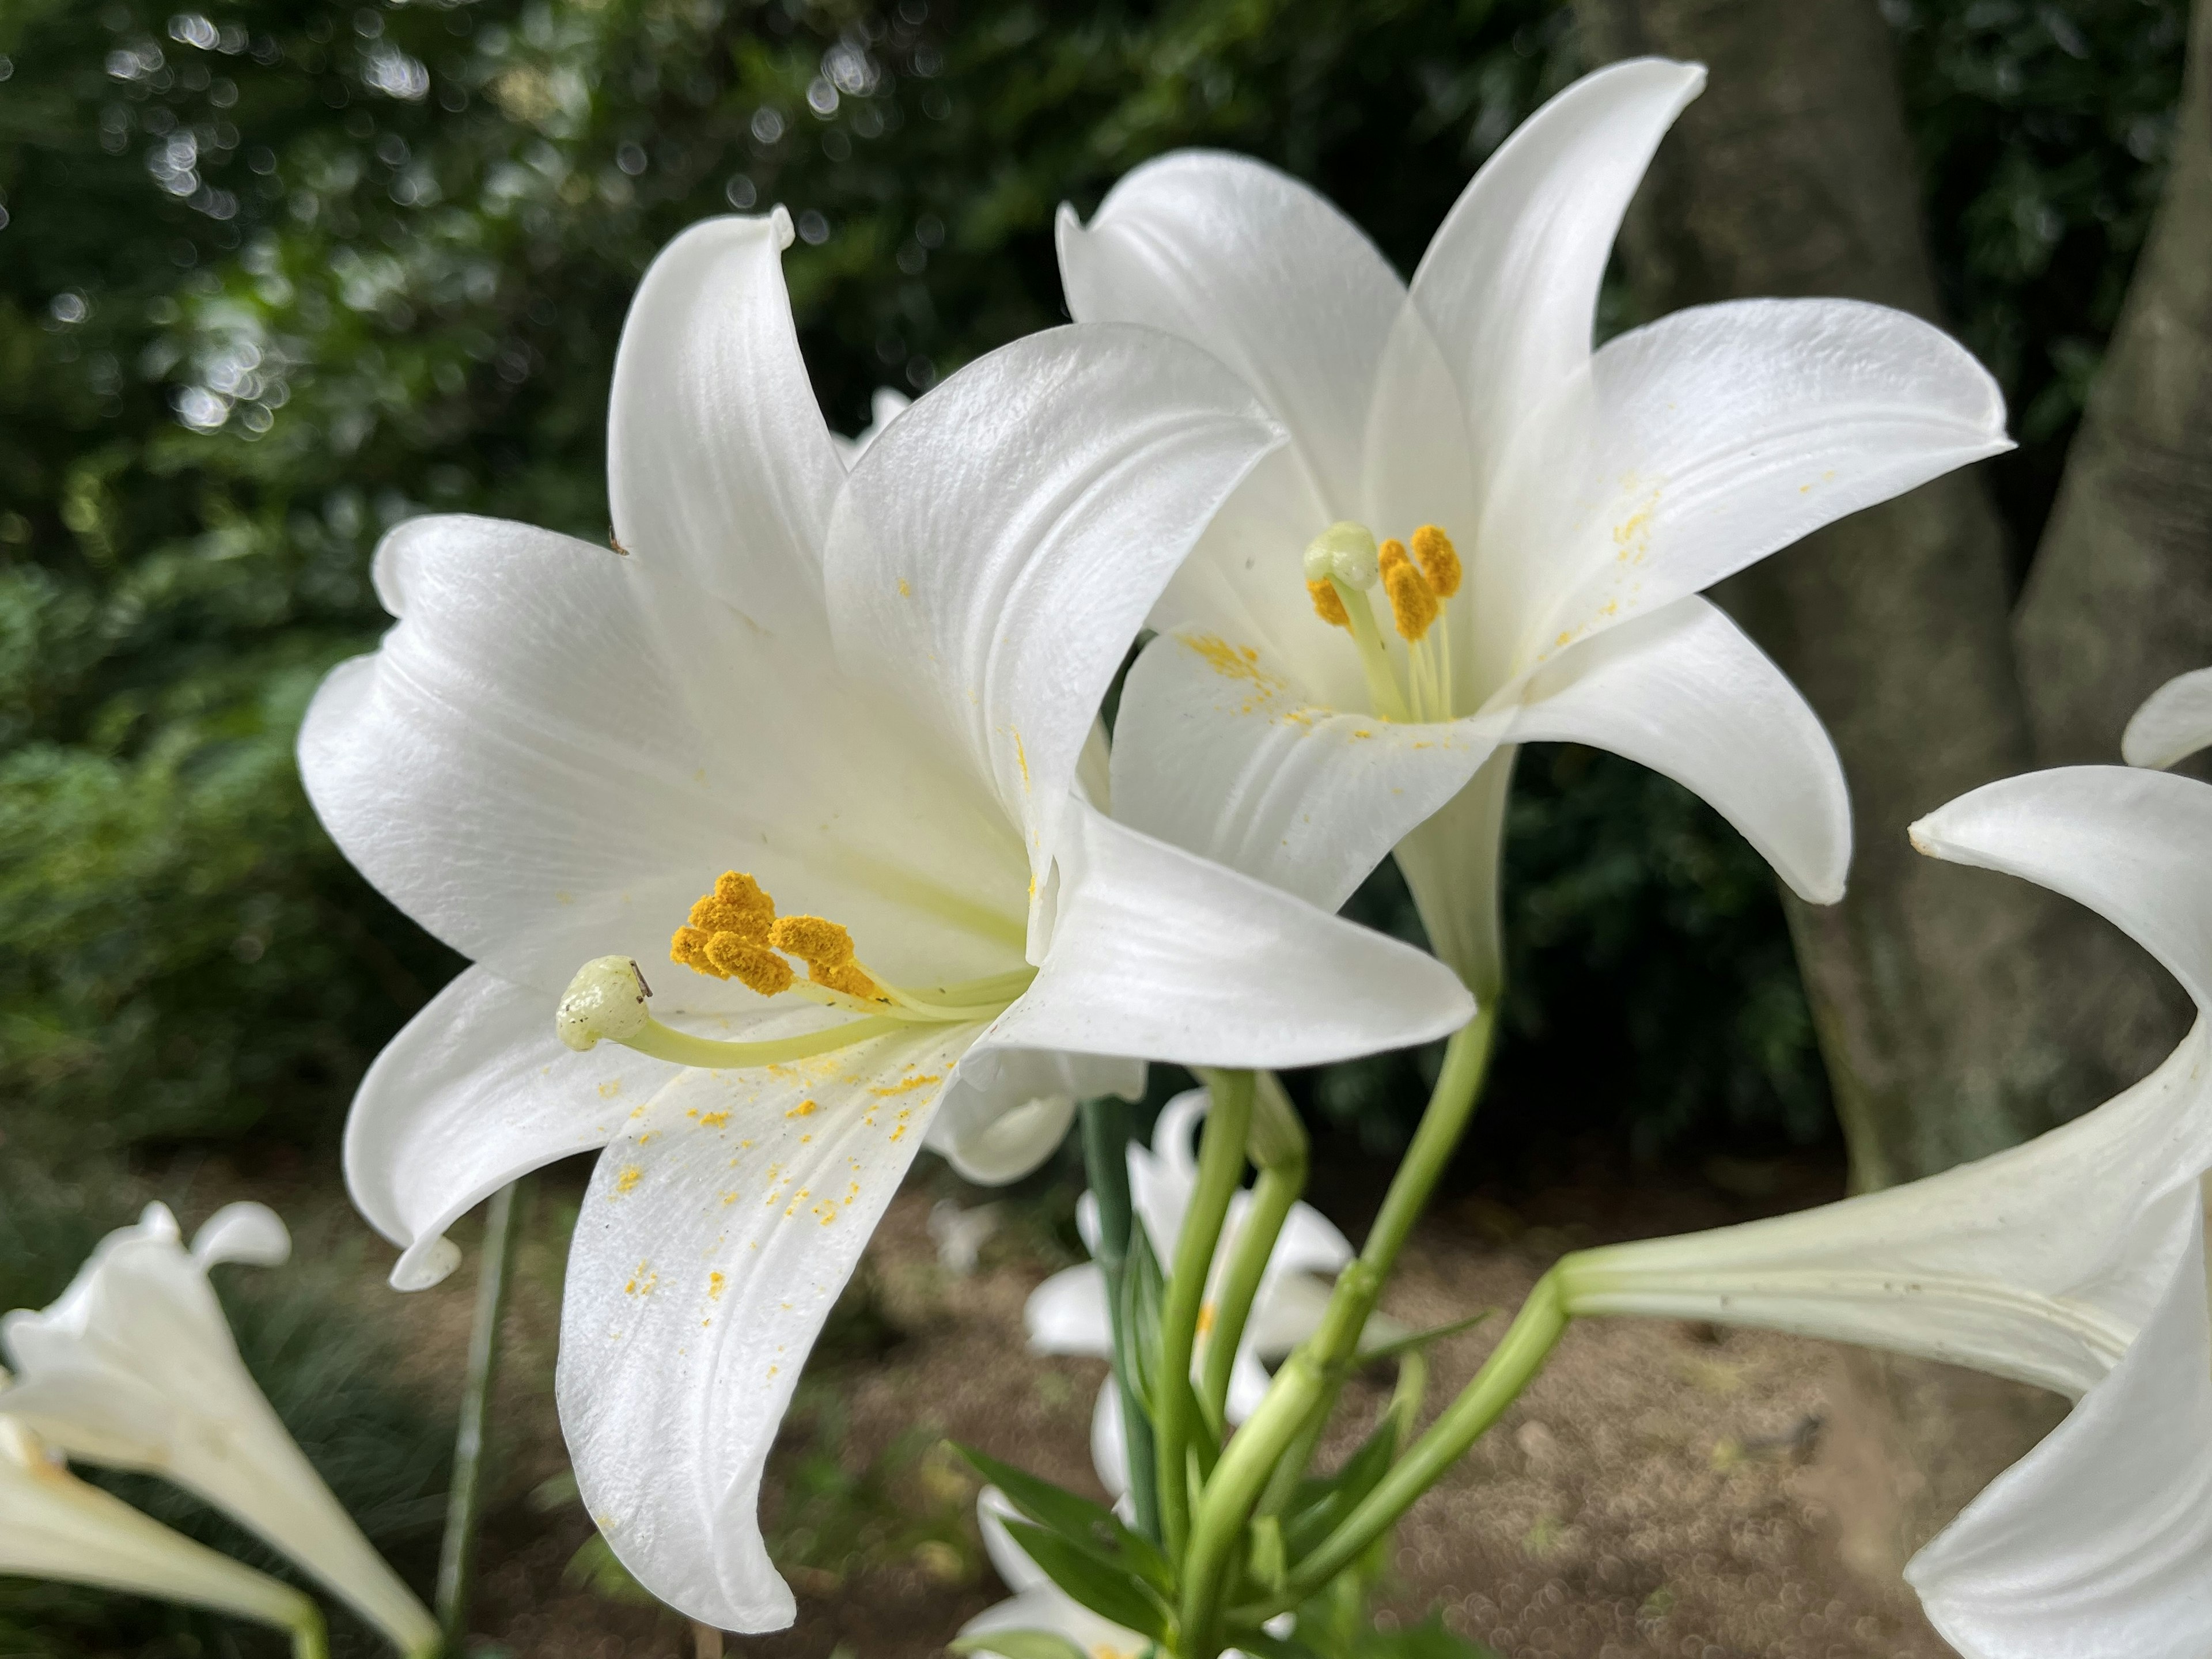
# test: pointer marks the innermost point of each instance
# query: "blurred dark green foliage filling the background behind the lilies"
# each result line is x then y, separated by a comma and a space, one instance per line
282, 275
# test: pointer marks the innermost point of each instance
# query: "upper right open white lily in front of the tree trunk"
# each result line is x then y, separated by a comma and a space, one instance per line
1552, 514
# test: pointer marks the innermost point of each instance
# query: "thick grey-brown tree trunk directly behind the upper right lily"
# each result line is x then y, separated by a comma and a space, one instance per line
1959, 1012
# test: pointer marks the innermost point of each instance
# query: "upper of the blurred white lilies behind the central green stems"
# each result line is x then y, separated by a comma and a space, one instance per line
1067, 1313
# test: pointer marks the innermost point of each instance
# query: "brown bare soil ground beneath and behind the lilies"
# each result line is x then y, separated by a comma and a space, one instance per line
1658, 1492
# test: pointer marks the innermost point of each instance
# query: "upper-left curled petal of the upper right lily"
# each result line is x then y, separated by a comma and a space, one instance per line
1266, 275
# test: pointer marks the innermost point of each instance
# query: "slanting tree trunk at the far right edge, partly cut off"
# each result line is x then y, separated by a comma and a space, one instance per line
2120, 598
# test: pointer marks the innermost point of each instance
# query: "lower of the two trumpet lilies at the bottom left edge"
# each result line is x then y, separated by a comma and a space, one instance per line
59, 1527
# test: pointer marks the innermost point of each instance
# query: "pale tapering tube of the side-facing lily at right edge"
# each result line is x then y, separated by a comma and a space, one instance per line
2036, 1264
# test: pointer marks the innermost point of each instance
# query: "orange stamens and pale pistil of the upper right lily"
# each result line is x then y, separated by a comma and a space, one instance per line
1344, 563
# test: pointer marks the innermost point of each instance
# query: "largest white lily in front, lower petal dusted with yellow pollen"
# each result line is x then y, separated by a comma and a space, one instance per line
870, 691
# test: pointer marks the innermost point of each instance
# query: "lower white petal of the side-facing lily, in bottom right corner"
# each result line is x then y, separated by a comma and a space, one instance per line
2100, 1541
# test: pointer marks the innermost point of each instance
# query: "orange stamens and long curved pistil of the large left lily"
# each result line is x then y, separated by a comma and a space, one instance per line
735, 935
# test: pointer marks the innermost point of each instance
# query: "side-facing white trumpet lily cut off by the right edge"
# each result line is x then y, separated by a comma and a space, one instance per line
2074, 1262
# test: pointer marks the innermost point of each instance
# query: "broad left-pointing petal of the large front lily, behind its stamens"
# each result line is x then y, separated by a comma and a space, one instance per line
552, 758
